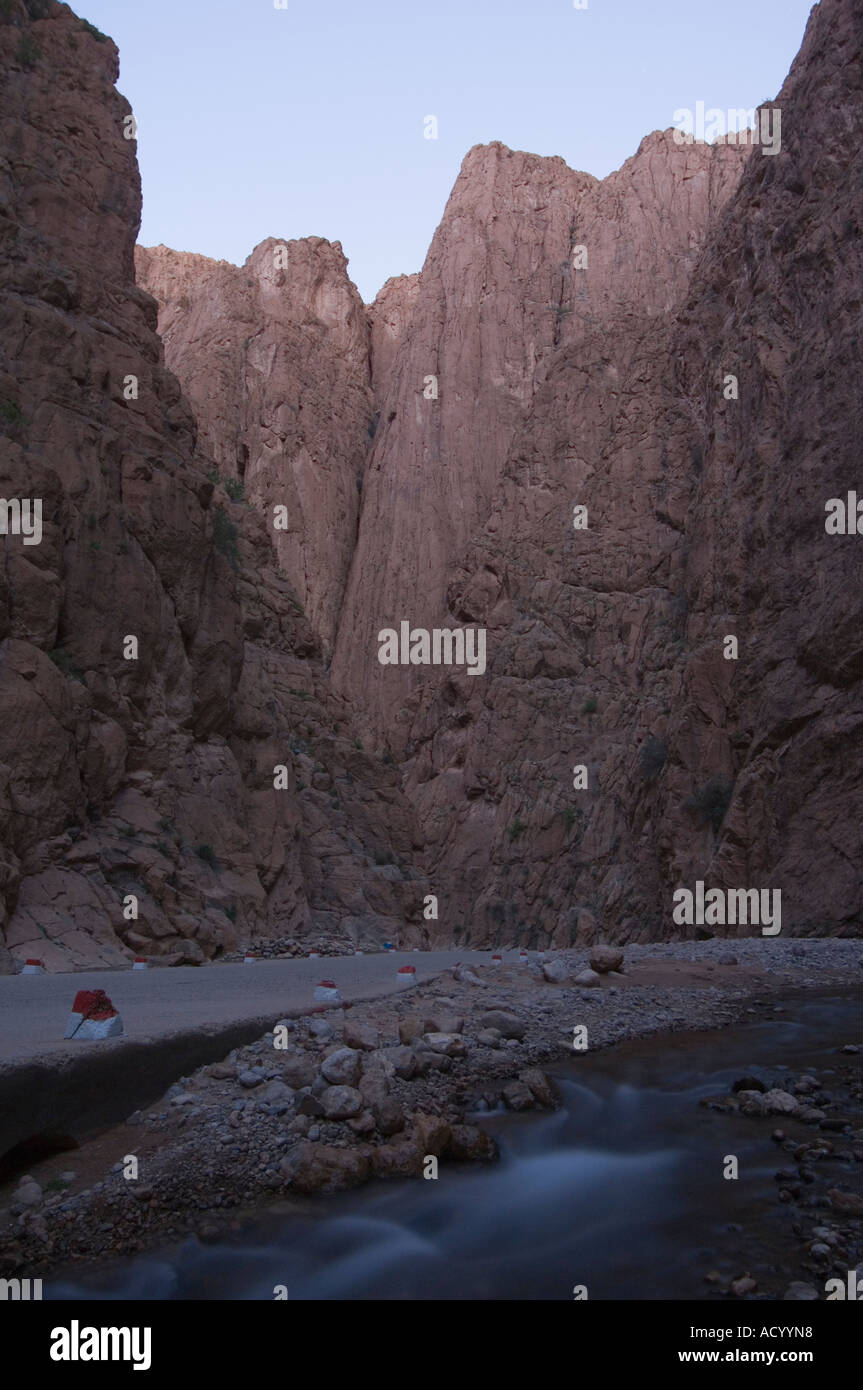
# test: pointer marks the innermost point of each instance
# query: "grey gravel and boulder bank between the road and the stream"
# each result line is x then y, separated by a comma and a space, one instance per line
333, 1099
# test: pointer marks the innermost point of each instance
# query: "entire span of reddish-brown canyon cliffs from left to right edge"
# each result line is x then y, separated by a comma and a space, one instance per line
430, 452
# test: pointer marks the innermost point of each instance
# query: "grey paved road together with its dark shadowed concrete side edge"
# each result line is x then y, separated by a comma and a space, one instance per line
174, 1020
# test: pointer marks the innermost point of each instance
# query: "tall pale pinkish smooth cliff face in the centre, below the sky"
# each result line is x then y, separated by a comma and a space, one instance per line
530, 258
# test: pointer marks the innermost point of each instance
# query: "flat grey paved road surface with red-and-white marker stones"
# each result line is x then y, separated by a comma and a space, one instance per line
158, 1004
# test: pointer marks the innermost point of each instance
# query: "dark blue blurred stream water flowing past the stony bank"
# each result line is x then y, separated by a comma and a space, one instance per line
620, 1191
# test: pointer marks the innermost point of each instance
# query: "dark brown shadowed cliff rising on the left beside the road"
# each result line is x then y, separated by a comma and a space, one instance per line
149, 686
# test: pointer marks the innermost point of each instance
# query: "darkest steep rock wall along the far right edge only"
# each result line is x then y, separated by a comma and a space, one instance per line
776, 302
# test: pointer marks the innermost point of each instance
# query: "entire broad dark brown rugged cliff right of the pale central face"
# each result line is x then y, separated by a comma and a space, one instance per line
707, 519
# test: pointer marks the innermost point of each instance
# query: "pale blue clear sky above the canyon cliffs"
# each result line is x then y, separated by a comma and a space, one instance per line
309, 122
